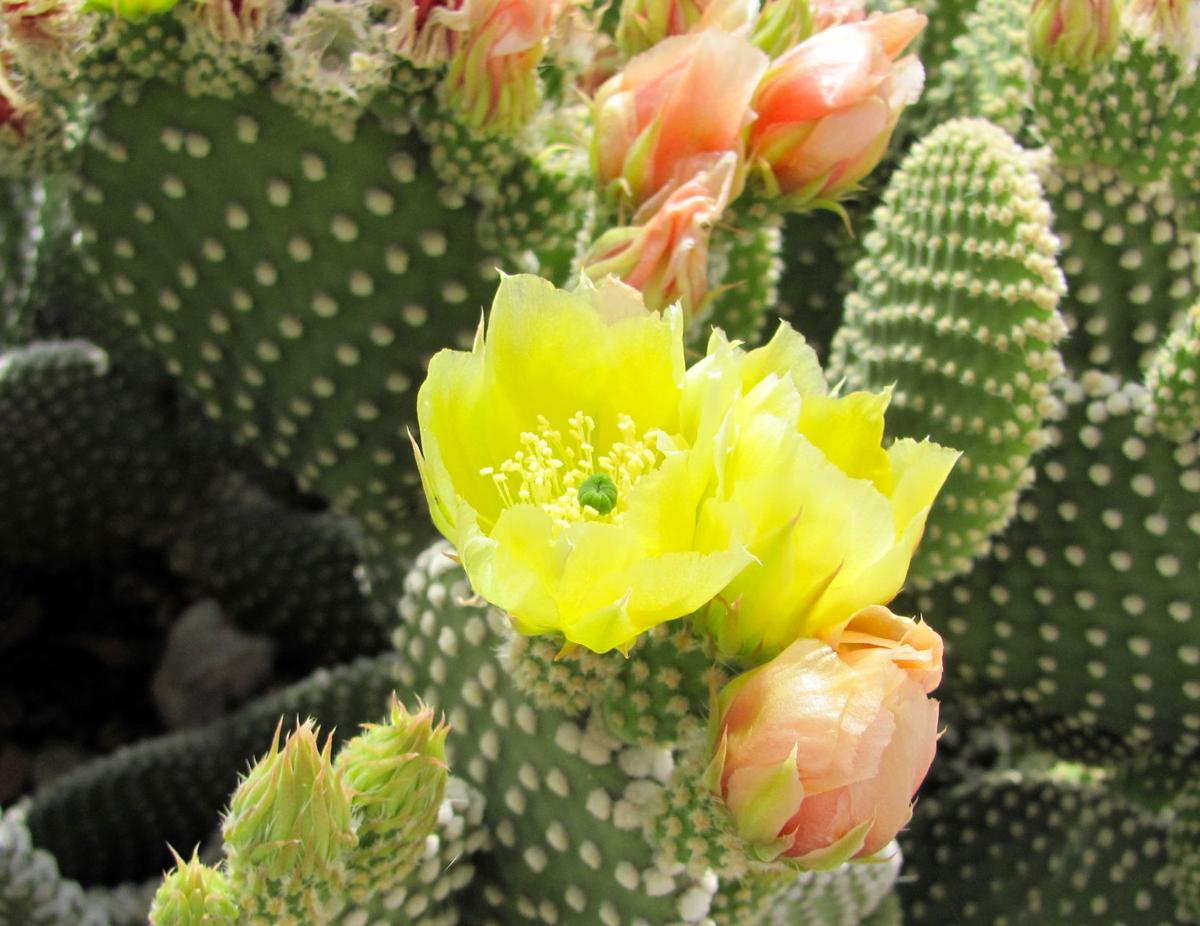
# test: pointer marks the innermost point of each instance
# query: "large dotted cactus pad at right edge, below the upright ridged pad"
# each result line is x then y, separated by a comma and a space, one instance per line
1082, 626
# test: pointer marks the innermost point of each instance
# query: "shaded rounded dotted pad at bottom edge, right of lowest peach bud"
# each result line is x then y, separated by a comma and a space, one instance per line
1047, 849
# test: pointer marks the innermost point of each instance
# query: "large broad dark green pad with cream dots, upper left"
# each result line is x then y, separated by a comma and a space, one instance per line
296, 290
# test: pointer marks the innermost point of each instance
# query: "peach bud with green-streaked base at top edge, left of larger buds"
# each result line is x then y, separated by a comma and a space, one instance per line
493, 79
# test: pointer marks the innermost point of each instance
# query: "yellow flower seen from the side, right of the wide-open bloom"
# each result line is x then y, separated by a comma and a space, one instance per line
831, 516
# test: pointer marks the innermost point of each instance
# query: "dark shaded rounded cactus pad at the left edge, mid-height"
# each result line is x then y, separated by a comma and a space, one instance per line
92, 456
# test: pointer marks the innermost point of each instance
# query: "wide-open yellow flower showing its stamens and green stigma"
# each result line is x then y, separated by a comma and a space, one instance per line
555, 460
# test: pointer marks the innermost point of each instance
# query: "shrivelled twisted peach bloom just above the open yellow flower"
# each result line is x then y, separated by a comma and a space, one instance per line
665, 252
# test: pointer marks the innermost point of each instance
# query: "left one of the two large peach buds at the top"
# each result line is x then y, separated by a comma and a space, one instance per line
687, 97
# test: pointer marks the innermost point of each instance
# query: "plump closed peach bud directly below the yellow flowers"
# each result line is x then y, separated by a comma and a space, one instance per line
820, 751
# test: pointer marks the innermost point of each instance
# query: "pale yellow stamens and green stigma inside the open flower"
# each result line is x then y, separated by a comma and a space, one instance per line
563, 476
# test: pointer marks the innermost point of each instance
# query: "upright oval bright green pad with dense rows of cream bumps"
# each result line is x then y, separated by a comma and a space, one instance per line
957, 305
